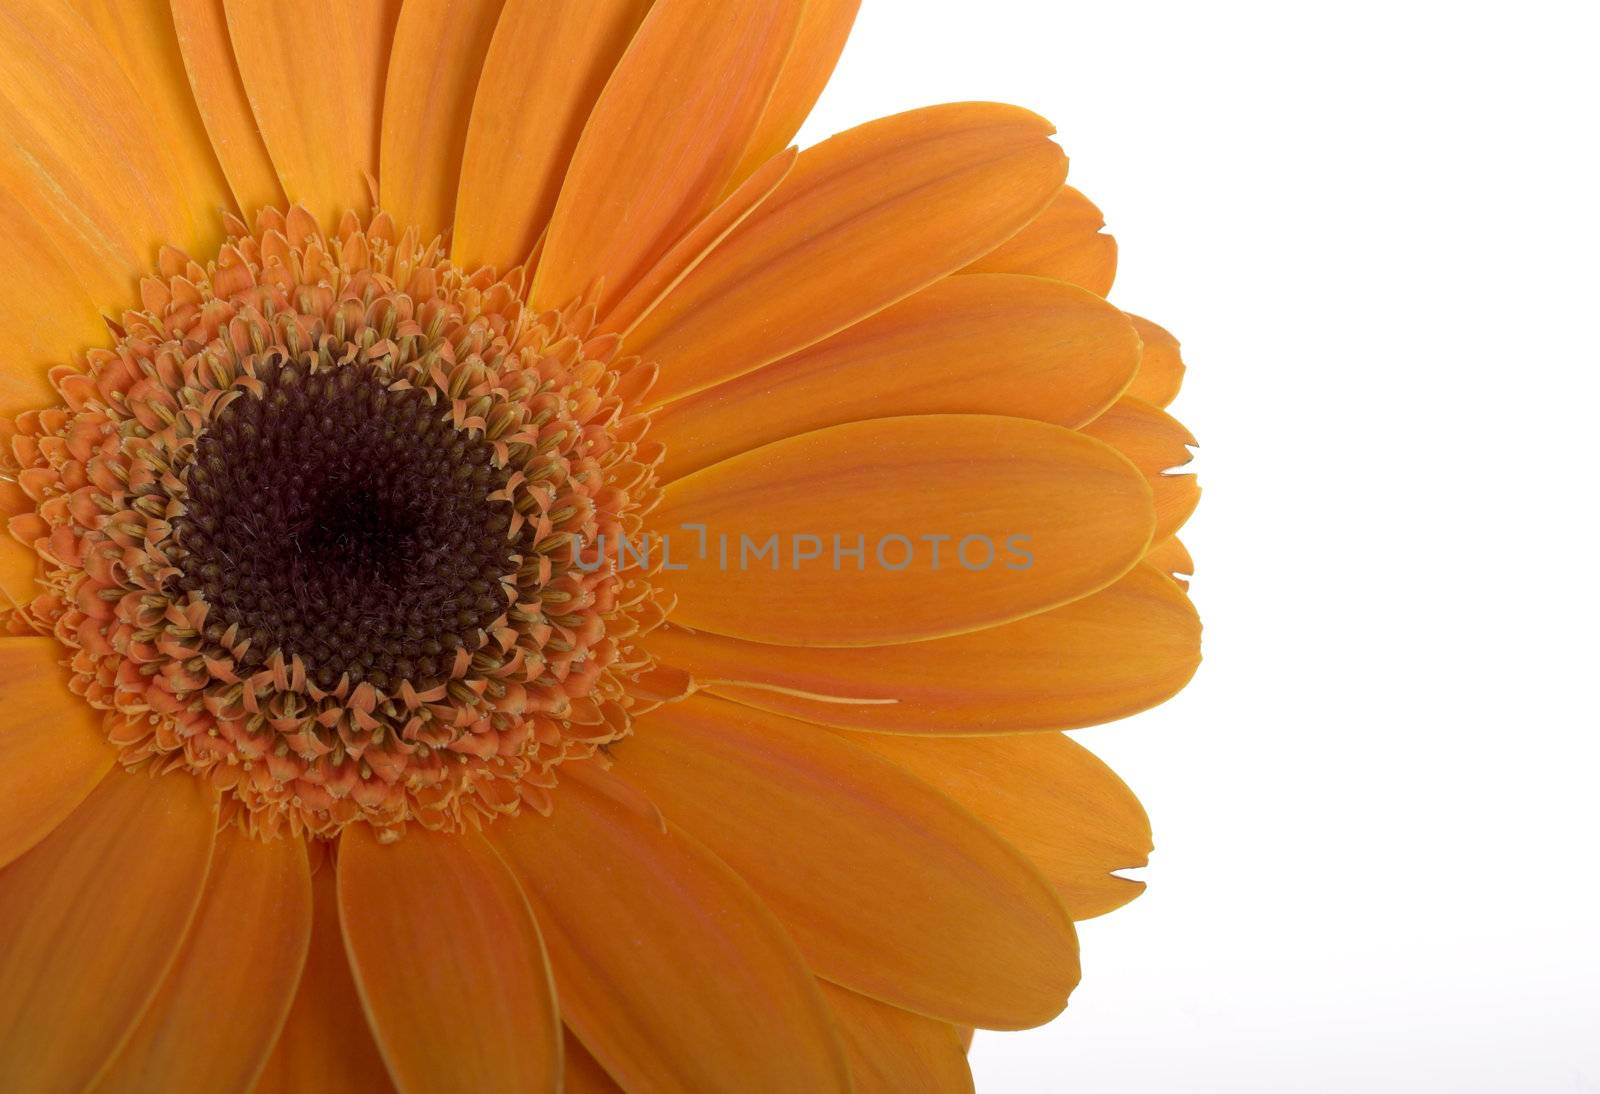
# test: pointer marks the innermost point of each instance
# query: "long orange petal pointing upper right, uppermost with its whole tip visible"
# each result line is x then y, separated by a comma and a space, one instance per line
863, 222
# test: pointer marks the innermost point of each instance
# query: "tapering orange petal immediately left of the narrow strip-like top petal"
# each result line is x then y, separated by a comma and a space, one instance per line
143, 39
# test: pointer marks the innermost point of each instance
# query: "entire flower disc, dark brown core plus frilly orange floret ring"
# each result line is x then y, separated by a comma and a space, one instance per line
310, 530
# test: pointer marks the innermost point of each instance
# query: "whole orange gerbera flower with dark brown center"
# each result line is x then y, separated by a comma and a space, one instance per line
518, 580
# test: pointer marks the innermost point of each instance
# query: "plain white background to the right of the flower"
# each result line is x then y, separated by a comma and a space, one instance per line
1375, 230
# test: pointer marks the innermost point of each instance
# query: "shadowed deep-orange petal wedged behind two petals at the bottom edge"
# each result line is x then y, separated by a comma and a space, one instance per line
326, 1044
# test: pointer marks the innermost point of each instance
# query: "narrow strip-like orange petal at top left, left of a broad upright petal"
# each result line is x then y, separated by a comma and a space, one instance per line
225, 108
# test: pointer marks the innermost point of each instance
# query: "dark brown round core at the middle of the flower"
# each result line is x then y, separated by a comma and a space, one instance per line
350, 524
